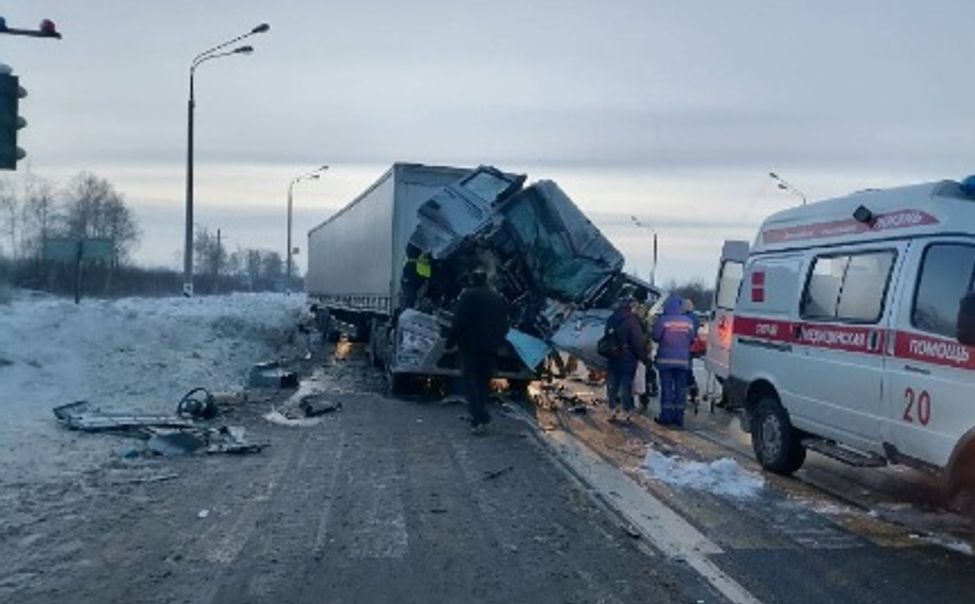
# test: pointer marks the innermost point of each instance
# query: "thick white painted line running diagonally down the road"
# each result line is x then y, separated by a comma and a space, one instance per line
665, 529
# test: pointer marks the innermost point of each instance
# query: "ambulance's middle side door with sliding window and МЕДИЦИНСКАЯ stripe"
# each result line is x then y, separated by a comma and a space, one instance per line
840, 335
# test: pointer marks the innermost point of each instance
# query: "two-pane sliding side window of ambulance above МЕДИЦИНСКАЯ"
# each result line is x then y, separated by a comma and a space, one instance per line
848, 288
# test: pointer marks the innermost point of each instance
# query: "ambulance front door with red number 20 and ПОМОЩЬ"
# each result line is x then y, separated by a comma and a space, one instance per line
929, 380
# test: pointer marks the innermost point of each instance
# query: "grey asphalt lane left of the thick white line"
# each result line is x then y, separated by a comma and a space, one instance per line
384, 501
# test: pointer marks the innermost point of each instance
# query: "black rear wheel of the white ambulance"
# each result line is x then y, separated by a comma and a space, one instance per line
777, 444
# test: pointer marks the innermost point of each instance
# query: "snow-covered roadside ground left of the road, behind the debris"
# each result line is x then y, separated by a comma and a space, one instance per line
134, 354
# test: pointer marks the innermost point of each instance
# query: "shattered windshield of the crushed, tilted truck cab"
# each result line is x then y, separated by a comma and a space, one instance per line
566, 255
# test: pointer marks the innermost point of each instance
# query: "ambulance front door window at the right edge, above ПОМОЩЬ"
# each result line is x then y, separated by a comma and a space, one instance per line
946, 276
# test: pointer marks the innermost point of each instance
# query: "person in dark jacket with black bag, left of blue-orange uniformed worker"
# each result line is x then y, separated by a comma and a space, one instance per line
631, 343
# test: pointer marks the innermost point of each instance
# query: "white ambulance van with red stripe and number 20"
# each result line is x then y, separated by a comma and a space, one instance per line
845, 336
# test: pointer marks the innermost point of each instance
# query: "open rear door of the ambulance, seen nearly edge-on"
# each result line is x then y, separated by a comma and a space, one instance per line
720, 327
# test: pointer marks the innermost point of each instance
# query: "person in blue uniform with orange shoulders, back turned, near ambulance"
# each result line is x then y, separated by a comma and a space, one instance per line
673, 332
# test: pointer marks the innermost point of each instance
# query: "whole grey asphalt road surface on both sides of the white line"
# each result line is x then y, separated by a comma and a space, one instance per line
393, 500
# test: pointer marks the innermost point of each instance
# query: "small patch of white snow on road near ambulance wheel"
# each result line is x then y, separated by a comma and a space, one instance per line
721, 477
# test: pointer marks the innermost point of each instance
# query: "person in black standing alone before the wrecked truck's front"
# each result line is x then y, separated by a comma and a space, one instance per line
479, 327
